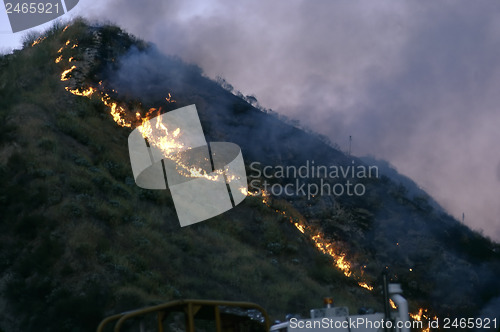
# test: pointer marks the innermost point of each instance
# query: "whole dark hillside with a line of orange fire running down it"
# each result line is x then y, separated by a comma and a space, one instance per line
79, 240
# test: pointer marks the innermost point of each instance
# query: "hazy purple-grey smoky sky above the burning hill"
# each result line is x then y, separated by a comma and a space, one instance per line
414, 82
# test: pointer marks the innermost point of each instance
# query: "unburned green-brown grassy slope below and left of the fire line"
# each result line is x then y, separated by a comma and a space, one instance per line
79, 240
